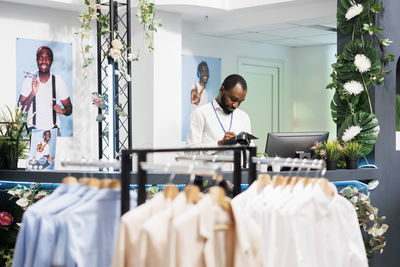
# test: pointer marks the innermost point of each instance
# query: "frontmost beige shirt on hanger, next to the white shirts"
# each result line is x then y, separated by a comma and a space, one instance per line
194, 242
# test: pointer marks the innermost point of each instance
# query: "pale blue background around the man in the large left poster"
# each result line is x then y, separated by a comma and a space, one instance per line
61, 66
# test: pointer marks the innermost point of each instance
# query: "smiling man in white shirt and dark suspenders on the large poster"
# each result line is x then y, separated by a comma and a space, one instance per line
39, 95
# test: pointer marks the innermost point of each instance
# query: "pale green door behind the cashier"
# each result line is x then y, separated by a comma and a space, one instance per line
262, 99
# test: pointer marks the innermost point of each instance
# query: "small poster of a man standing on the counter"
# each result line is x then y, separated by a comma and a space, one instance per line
43, 150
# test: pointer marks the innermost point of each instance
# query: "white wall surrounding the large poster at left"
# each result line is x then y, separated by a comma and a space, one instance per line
52, 25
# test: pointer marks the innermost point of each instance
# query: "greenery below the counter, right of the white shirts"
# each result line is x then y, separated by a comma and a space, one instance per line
369, 220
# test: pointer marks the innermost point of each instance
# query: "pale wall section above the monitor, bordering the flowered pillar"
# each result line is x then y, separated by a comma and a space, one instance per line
311, 101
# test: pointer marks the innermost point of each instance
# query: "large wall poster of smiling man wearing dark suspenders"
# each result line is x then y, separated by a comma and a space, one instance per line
44, 84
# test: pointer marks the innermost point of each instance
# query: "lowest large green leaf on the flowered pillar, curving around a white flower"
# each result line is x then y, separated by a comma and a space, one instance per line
369, 130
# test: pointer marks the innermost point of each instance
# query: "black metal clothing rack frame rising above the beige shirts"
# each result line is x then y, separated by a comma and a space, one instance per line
142, 174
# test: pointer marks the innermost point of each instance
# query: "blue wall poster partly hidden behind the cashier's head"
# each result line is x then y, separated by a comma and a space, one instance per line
201, 80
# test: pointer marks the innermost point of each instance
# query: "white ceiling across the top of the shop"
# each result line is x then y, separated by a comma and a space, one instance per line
291, 23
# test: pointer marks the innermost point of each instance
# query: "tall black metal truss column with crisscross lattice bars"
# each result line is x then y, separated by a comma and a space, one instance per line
119, 14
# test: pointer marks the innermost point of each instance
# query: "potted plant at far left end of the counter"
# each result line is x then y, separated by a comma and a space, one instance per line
12, 128
